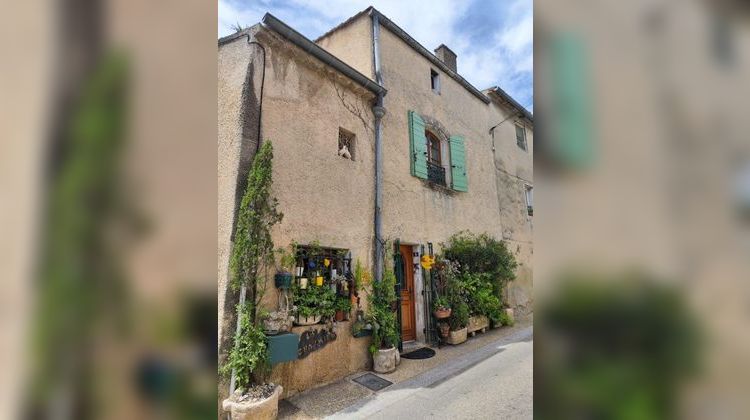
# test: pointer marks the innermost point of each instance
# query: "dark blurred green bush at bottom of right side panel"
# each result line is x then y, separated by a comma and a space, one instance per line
613, 349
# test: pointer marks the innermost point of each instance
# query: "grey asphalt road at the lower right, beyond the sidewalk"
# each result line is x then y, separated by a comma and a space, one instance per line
496, 382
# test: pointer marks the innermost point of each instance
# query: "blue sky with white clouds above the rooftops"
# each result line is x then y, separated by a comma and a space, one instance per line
492, 38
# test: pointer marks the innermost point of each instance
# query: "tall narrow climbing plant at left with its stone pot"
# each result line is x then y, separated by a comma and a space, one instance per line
252, 252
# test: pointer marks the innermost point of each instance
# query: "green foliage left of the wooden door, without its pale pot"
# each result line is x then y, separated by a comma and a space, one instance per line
382, 316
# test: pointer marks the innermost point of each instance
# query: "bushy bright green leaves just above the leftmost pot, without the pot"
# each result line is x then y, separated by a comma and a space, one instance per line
249, 356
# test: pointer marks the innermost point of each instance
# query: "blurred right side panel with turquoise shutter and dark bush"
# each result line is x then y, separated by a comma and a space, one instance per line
641, 168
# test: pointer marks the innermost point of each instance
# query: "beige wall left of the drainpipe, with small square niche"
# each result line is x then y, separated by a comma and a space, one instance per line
324, 197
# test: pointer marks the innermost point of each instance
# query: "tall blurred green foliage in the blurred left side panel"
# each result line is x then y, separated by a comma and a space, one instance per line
80, 280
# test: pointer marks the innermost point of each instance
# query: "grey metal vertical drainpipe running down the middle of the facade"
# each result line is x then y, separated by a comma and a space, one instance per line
378, 110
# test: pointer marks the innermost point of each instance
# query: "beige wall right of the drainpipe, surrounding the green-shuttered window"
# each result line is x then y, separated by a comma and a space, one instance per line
495, 202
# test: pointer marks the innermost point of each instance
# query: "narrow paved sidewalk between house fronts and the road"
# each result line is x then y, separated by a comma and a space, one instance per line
409, 377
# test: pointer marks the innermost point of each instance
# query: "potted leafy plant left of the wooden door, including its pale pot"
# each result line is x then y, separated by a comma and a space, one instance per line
385, 334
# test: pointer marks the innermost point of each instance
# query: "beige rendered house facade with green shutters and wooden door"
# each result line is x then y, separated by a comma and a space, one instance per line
453, 158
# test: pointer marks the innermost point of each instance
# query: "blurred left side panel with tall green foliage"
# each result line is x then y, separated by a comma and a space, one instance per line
109, 209
